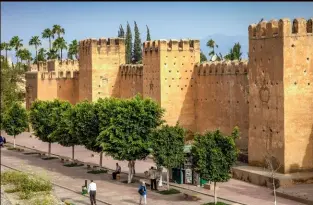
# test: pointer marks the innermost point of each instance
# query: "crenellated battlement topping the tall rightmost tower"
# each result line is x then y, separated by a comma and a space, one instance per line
283, 27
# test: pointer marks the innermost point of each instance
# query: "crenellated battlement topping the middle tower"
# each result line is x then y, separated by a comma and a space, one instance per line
171, 45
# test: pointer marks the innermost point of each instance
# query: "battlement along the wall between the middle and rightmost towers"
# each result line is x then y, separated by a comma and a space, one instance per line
222, 68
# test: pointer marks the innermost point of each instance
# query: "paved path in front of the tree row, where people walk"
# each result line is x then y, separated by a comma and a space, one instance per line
108, 190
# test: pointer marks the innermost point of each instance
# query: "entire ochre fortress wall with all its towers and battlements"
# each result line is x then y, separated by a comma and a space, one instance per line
269, 97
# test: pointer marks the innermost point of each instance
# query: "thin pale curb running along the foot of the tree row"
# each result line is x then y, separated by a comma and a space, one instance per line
135, 176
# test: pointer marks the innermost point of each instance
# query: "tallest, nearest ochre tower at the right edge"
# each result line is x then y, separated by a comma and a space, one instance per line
281, 93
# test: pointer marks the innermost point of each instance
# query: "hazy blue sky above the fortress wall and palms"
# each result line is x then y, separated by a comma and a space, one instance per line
166, 20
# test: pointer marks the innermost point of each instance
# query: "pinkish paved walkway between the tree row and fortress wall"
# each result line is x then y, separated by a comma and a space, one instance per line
233, 190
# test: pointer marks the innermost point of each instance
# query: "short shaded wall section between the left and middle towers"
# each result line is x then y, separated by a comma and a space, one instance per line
131, 80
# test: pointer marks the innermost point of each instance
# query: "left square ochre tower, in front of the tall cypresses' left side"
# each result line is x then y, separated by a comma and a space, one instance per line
99, 67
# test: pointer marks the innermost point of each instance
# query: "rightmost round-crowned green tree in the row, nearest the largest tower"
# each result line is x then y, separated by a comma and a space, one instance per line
213, 156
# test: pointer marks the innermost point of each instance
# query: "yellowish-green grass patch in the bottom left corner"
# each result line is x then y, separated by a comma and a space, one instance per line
26, 185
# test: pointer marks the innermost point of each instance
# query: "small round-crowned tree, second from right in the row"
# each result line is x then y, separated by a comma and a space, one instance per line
167, 144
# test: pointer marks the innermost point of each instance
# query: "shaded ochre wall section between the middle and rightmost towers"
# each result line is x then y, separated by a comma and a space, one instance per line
222, 90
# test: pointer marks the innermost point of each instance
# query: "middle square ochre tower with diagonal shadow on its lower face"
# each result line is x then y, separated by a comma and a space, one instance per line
169, 78
